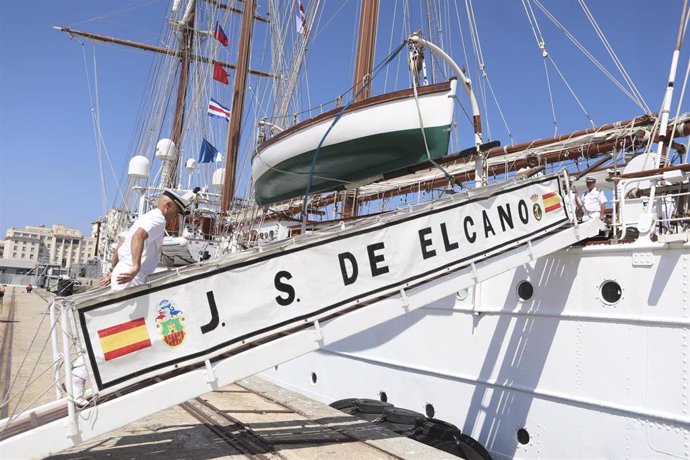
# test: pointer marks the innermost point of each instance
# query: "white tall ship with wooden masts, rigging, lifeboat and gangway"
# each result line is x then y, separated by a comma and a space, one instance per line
385, 249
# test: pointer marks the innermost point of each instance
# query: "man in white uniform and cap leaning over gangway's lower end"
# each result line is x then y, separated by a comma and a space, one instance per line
137, 256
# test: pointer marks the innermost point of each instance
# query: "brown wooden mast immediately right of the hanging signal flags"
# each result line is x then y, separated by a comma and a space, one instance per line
237, 105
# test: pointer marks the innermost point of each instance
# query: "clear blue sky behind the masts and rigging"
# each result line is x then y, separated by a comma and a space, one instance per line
49, 172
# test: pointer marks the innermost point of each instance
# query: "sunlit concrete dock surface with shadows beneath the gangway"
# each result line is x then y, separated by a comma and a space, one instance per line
249, 419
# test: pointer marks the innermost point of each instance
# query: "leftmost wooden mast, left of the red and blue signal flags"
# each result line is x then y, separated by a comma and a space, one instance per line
187, 41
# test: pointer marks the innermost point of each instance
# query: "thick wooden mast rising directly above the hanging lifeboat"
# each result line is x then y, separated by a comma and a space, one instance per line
365, 47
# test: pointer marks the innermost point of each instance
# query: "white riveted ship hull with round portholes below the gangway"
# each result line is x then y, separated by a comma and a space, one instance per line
581, 376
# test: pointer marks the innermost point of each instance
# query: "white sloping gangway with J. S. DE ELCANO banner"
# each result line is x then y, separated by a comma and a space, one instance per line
200, 328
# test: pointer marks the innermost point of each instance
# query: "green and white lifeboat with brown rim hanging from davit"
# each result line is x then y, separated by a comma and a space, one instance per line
375, 136
